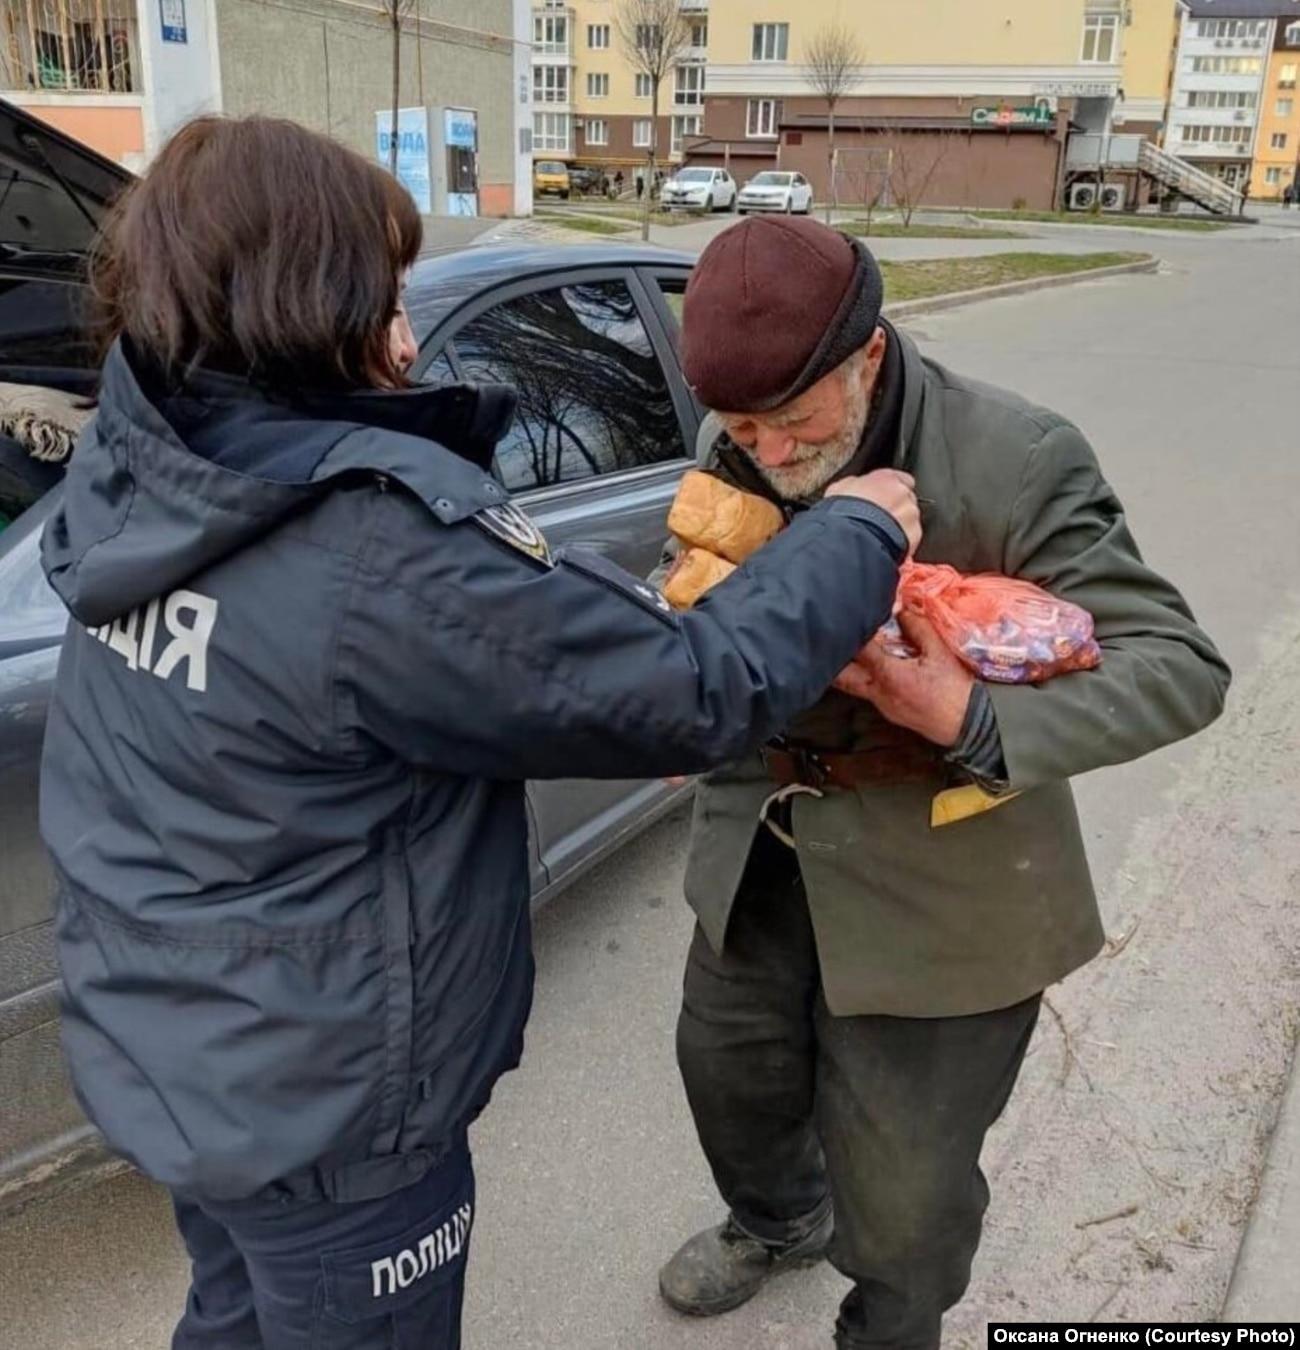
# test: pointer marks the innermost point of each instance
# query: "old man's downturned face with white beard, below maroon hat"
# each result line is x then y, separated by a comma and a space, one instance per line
801, 446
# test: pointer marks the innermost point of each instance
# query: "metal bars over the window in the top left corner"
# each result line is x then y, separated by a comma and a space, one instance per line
70, 47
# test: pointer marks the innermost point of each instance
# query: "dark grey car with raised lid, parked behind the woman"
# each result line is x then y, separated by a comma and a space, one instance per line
600, 472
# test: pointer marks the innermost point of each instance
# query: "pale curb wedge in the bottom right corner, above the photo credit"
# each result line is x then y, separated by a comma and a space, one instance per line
1266, 1285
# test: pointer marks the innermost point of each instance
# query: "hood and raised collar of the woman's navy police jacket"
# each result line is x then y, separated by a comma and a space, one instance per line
148, 504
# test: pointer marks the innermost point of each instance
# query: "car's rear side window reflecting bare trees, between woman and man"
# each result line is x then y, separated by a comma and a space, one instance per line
593, 398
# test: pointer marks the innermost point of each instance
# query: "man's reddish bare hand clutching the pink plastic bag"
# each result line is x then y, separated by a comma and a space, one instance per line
927, 695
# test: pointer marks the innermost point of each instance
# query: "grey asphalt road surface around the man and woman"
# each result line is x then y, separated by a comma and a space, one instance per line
1156, 1086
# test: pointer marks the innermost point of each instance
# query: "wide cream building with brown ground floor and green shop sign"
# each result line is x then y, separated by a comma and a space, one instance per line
973, 103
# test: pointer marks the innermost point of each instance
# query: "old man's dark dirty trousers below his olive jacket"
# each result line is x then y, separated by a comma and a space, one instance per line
884, 1117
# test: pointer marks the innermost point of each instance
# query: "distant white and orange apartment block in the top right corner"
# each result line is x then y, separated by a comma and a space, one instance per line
1232, 109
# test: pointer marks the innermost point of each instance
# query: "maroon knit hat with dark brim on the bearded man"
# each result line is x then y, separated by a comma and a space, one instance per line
774, 306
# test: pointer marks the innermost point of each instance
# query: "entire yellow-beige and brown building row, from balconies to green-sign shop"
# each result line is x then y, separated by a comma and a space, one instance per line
975, 102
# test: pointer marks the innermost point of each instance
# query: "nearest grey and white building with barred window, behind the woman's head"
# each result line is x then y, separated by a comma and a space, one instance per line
124, 75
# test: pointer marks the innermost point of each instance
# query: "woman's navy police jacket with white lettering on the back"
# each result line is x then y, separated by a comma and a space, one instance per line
315, 654
